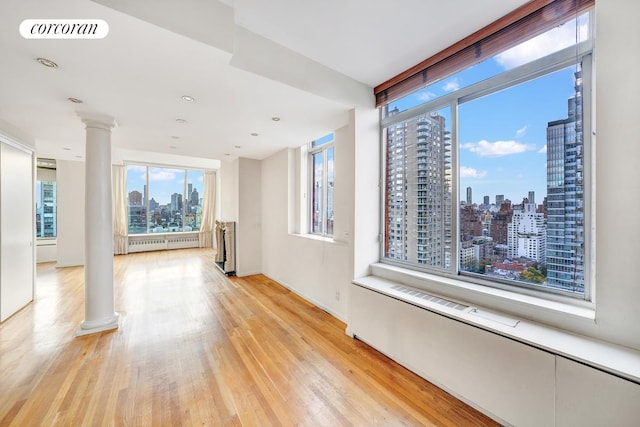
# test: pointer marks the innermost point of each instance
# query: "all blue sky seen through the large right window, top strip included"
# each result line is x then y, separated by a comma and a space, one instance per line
502, 136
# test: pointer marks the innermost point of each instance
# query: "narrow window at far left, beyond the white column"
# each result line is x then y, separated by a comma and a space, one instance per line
46, 195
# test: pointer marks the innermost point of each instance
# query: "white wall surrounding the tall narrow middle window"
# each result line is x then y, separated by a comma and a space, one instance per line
319, 269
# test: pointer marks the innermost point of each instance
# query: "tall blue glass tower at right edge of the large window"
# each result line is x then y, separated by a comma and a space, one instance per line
565, 197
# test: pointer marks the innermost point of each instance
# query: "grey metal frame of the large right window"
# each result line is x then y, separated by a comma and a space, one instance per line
581, 52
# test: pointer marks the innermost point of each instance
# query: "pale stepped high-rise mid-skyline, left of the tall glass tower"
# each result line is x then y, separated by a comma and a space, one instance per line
527, 233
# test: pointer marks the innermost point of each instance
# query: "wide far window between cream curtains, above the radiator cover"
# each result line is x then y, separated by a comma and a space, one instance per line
163, 199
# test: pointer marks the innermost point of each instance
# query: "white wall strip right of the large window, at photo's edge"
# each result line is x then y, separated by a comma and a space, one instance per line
618, 176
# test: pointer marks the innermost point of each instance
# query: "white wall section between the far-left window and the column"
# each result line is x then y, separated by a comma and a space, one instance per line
70, 178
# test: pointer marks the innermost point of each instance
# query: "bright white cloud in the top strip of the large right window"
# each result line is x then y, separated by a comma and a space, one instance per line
542, 45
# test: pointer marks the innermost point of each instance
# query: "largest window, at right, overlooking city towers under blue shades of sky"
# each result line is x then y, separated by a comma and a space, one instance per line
485, 169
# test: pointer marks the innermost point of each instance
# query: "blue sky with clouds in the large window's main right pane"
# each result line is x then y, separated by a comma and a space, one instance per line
503, 138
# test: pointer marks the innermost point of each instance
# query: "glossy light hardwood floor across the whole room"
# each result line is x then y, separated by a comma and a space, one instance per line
197, 348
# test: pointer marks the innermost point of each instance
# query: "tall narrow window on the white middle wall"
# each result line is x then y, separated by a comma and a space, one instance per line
321, 179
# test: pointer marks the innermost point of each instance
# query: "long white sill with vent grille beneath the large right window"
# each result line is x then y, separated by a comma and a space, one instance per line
617, 360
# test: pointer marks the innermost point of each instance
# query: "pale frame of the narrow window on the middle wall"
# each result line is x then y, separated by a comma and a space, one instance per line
313, 149
